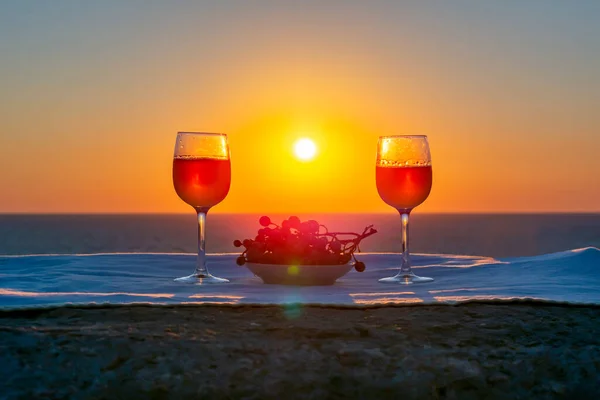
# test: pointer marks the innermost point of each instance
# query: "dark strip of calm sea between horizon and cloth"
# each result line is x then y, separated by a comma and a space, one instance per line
493, 235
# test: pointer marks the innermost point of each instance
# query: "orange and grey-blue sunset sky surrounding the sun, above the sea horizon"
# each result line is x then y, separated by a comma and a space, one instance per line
93, 94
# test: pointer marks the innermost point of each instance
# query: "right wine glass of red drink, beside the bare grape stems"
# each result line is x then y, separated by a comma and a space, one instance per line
403, 176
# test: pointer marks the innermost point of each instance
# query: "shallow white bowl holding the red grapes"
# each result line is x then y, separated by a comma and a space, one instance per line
311, 275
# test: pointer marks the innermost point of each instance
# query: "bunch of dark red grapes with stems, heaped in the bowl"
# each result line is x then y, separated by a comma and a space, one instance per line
301, 243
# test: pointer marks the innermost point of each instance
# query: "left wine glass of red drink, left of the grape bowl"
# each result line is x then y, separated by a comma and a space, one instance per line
201, 177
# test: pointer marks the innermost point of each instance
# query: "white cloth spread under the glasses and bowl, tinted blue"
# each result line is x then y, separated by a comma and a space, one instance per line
50, 280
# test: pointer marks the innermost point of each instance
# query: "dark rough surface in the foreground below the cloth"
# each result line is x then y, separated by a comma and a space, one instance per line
457, 352
